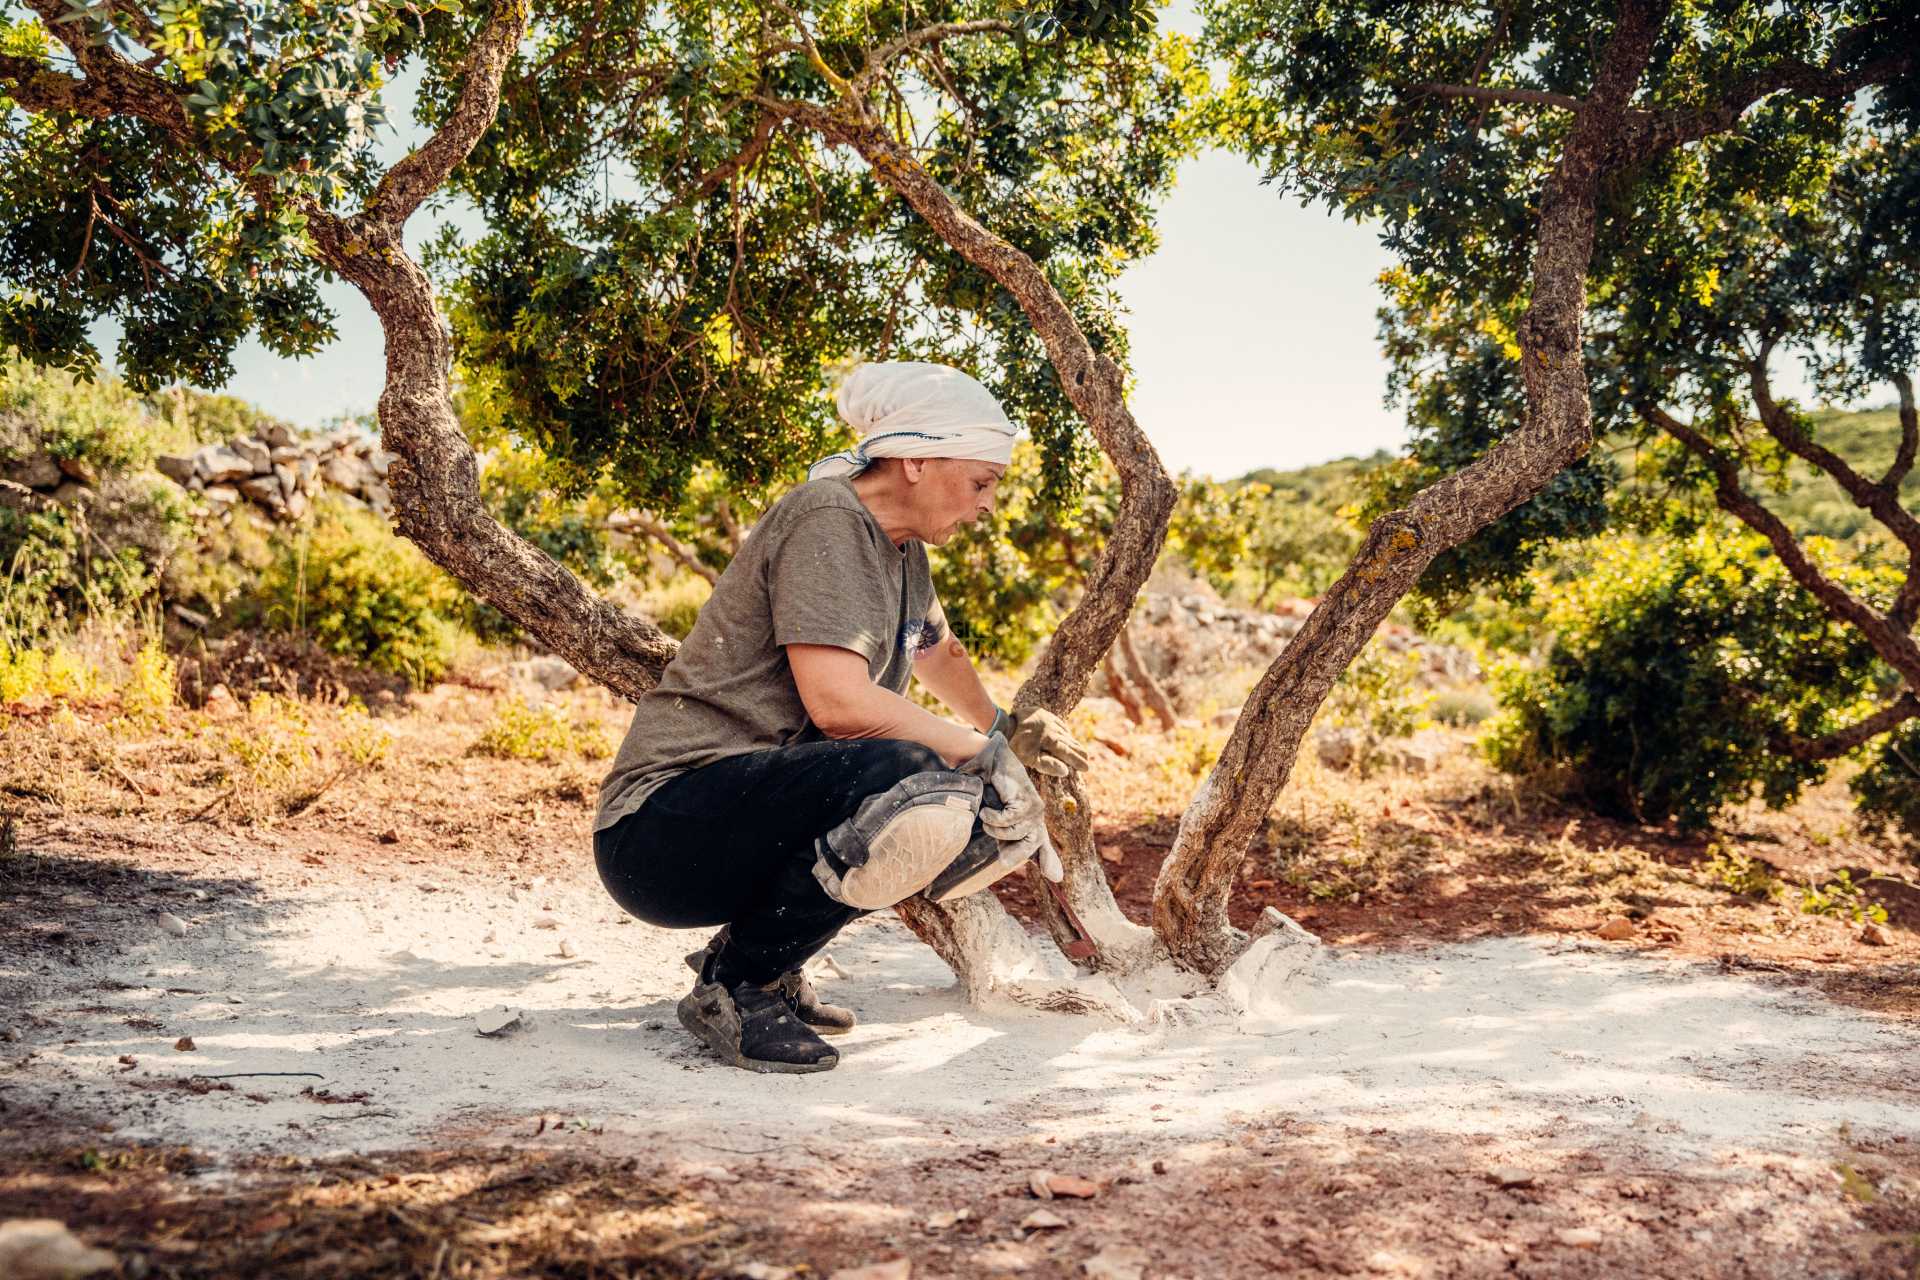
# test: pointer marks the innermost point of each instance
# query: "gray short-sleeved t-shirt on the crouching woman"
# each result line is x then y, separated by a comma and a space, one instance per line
817, 571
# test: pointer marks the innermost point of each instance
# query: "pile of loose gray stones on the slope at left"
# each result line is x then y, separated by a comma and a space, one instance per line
281, 473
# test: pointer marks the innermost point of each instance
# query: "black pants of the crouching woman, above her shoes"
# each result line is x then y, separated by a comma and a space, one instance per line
734, 845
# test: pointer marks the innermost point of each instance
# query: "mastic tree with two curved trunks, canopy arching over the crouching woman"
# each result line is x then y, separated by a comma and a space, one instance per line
779, 191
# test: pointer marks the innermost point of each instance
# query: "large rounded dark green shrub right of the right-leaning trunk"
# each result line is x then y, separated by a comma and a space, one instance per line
1671, 669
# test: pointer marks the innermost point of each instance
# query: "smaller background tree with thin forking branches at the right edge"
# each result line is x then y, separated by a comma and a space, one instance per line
1792, 243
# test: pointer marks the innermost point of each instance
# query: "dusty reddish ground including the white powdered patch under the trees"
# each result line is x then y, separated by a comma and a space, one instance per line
1472, 1083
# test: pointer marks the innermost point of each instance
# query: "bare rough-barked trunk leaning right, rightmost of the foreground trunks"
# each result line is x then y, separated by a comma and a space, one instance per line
1232, 805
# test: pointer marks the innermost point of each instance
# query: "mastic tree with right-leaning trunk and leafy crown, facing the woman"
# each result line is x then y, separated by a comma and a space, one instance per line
1500, 149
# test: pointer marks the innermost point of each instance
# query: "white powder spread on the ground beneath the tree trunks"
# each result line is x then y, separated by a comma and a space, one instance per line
377, 991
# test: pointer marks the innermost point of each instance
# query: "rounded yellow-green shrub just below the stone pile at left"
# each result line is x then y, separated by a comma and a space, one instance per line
364, 594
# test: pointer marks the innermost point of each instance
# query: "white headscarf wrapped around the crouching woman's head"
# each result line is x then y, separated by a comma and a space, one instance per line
913, 410
